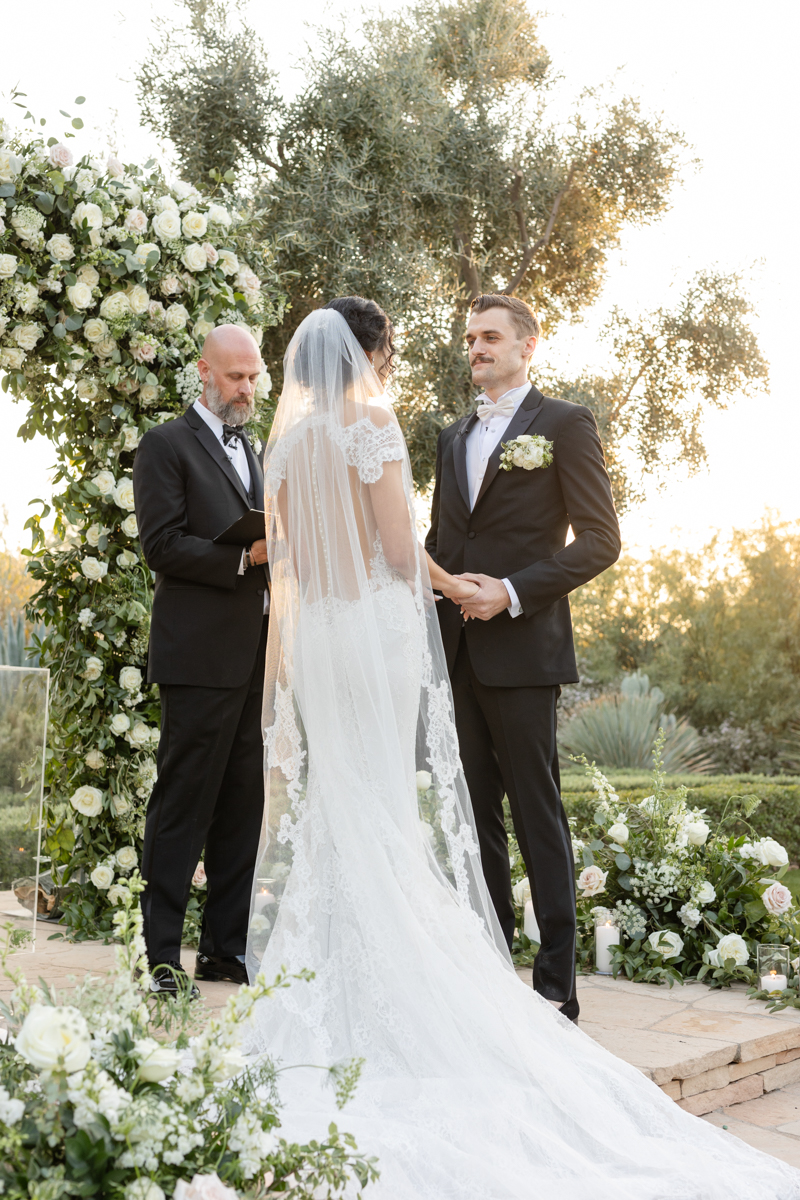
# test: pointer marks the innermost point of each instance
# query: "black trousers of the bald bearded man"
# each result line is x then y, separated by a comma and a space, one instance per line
209, 793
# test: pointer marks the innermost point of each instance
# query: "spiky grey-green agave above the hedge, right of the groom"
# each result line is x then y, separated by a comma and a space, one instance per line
619, 731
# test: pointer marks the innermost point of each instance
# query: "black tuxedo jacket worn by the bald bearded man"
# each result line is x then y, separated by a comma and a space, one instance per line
207, 619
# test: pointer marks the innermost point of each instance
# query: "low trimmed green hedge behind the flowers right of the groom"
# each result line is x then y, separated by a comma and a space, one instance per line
778, 817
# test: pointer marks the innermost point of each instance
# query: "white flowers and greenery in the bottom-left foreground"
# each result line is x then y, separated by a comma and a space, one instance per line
95, 1102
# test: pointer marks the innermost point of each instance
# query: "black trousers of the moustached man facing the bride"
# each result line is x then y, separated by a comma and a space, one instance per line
508, 746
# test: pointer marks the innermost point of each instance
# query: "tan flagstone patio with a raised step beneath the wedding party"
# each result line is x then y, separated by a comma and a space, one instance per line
718, 1054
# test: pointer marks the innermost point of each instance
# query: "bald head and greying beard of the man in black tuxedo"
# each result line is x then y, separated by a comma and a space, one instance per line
230, 369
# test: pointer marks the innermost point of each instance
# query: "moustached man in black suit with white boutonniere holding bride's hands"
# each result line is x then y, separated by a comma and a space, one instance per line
510, 647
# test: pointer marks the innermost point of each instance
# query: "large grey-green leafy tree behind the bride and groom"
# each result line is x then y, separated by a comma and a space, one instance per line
424, 163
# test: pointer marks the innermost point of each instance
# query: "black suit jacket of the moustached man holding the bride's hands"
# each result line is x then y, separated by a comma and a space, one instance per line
518, 531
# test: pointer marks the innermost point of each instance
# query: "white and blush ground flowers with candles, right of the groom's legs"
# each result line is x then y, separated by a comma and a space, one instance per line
690, 901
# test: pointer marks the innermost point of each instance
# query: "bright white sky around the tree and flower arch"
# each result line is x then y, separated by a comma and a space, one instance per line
725, 74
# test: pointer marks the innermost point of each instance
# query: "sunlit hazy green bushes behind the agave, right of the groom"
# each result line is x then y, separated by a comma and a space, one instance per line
718, 632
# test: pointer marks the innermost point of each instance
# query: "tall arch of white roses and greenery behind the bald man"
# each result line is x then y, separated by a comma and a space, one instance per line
111, 278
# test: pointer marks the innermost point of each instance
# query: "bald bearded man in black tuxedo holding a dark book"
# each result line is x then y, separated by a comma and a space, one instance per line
194, 478
